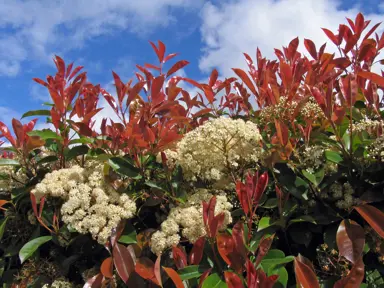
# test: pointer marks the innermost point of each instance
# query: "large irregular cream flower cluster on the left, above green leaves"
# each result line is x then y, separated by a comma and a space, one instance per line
90, 204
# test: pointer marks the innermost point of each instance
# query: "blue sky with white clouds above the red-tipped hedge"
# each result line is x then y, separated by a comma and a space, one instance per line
113, 35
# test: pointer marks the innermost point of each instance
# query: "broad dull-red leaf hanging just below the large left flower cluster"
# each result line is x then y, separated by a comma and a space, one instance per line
123, 261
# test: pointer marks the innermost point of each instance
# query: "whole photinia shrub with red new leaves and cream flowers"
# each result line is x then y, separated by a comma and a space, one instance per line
272, 178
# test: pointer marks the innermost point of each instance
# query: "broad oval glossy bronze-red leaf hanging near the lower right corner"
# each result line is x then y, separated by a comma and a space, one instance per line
350, 240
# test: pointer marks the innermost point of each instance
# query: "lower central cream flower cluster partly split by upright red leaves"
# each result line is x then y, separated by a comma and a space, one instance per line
189, 218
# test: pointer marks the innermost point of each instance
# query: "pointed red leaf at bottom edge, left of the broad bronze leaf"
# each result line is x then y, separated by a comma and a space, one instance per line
305, 275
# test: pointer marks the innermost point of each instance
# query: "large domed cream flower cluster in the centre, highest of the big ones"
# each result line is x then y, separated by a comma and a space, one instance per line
217, 146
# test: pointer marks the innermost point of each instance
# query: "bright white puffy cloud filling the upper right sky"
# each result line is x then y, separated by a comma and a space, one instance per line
233, 27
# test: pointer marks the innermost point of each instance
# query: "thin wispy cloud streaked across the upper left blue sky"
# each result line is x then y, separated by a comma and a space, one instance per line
36, 29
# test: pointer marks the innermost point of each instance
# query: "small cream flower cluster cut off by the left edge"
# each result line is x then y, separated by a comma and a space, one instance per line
9, 179
